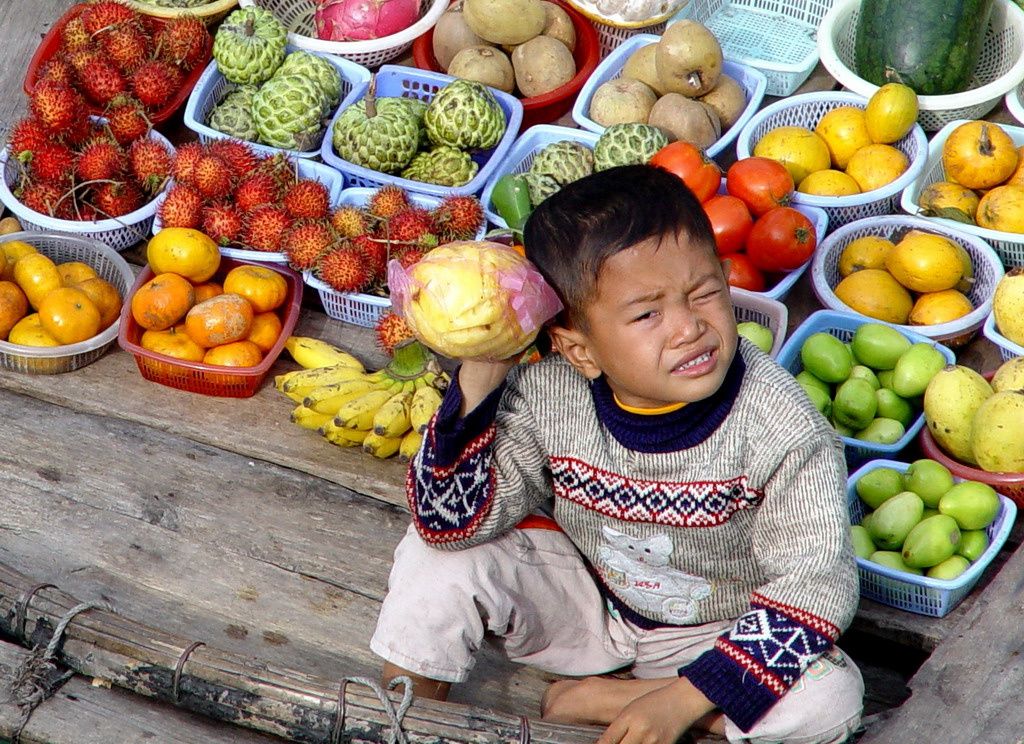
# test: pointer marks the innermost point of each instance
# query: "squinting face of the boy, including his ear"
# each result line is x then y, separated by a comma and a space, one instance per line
661, 325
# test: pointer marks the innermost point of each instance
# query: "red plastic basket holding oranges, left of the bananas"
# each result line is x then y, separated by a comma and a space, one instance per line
195, 377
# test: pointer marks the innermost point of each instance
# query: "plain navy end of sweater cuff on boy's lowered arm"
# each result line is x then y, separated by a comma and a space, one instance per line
731, 687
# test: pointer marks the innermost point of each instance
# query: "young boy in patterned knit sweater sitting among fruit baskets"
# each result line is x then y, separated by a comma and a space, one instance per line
700, 535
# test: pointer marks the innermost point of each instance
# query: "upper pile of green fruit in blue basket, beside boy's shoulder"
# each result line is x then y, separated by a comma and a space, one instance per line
871, 388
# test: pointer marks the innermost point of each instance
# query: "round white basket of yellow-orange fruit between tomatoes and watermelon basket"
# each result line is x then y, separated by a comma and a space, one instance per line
805, 111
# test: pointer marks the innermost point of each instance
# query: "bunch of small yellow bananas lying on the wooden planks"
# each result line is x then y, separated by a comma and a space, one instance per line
383, 412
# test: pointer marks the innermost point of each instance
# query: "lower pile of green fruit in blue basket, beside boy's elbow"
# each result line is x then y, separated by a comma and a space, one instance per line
922, 521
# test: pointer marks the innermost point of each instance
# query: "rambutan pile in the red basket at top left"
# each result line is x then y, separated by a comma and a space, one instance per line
110, 52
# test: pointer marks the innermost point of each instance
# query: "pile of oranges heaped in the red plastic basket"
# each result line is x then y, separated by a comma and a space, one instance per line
188, 316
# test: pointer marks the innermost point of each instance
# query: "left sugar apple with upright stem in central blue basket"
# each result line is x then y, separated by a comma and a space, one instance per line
381, 135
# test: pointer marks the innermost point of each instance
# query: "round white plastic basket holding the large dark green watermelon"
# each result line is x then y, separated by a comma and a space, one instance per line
1000, 68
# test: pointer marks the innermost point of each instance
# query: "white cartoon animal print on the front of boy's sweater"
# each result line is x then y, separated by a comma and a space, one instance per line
637, 570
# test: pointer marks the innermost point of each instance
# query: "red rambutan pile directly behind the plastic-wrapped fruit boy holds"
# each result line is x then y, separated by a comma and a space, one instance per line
390, 226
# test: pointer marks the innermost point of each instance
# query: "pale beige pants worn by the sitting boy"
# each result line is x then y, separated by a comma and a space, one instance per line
530, 589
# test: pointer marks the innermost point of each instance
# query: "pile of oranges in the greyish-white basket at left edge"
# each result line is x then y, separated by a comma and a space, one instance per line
44, 303
